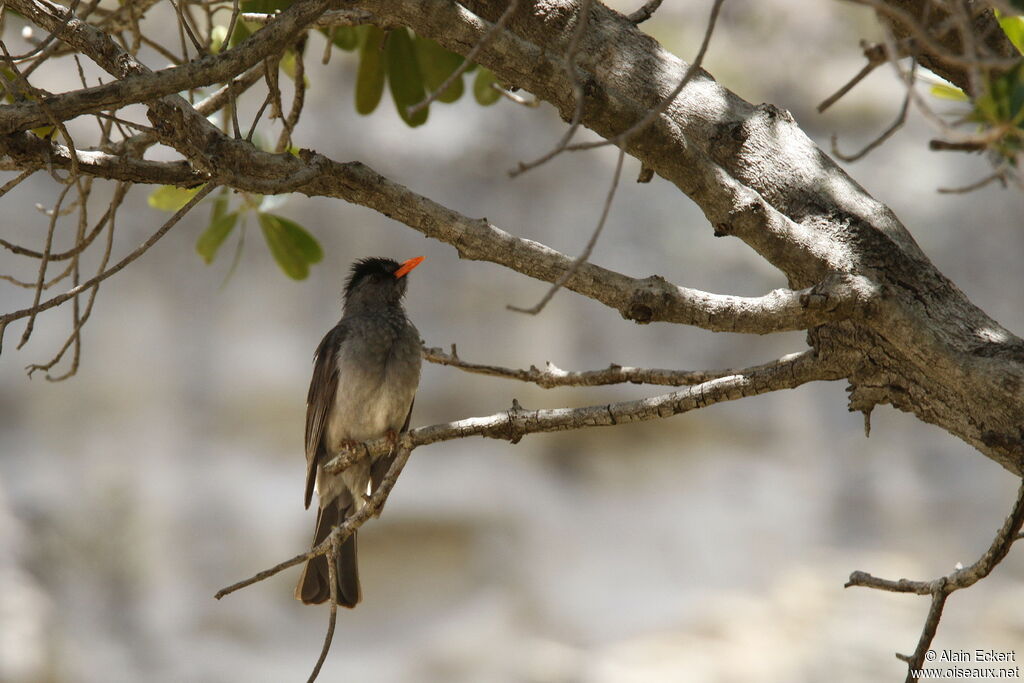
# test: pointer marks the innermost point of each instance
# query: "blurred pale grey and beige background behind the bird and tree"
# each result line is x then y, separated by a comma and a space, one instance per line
709, 547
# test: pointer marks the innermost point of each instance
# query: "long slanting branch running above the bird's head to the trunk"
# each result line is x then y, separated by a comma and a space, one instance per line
644, 301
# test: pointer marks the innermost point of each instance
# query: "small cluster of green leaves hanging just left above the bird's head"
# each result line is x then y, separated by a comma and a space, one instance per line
291, 245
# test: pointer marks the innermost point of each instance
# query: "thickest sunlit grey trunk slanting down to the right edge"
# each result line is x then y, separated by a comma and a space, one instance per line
924, 349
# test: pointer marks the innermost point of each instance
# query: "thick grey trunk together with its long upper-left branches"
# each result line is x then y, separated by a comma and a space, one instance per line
874, 305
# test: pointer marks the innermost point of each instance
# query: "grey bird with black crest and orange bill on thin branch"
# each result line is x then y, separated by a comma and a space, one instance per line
366, 374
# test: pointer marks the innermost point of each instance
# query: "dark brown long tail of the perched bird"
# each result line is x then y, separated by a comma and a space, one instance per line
315, 586
